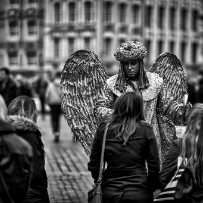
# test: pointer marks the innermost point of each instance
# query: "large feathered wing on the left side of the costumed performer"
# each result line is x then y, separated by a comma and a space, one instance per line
82, 80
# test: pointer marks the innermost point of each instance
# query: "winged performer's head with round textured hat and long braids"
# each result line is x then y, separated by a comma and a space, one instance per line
131, 55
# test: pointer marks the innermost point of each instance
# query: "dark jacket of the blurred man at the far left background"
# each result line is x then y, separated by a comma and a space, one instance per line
9, 90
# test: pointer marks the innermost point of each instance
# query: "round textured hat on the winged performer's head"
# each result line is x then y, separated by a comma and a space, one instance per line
130, 51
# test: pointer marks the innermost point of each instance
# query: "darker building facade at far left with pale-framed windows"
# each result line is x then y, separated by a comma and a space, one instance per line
21, 35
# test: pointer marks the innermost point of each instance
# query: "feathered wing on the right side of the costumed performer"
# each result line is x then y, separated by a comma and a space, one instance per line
169, 67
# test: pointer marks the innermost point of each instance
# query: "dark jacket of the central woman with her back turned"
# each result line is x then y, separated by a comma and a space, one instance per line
126, 164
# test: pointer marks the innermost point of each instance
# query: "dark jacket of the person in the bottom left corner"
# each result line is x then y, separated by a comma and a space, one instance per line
15, 163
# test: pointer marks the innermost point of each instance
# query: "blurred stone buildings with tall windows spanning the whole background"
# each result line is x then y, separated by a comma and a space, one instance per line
40, 35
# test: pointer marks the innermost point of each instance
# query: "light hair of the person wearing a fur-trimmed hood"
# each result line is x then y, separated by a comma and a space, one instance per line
23, 106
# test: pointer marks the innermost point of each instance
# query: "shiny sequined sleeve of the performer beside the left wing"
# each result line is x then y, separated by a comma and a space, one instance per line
104, 104
